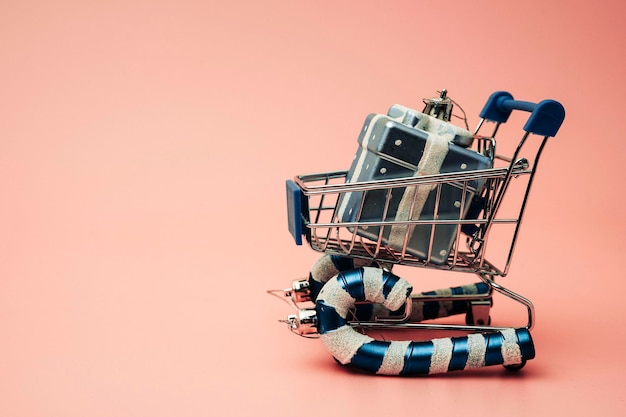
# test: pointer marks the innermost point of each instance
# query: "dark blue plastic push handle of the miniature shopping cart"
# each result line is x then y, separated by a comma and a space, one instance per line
545, 119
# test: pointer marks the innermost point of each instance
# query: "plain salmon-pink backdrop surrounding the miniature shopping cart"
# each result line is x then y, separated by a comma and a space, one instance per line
143, 150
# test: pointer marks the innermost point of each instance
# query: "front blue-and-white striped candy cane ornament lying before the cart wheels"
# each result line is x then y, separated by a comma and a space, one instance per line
509, 347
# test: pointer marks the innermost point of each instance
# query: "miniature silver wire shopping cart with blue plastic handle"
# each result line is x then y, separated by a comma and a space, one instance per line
314, 199
